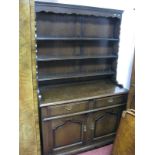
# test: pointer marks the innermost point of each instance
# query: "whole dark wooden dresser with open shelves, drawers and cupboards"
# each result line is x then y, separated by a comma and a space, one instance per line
80, 102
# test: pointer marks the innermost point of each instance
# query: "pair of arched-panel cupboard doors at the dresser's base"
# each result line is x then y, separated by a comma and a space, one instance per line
83, 129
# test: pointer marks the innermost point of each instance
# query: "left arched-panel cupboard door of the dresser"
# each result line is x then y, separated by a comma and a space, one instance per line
63, 133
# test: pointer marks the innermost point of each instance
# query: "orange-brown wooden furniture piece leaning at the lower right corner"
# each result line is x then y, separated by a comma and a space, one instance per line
125, 138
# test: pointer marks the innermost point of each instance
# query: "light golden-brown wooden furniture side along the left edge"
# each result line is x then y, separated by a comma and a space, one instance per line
29, 127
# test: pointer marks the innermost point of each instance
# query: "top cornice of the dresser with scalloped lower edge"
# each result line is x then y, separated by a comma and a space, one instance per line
75, 9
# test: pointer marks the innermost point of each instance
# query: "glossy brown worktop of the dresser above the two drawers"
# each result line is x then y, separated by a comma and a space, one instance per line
78, 92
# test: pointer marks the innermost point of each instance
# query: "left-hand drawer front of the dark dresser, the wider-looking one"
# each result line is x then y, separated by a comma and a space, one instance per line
65, 109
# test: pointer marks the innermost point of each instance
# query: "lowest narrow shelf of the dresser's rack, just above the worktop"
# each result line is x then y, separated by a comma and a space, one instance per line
73, 75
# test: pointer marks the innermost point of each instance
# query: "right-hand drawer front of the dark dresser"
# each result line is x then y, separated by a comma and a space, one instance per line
108, 101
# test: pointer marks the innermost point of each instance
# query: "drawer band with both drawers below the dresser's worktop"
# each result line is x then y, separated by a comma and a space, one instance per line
77, 108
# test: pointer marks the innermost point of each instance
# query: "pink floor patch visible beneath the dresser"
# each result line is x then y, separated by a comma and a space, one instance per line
106, 150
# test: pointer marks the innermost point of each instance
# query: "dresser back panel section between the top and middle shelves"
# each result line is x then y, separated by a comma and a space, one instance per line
83, 49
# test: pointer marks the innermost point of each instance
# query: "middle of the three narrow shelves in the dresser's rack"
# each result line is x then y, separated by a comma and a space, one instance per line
47, 58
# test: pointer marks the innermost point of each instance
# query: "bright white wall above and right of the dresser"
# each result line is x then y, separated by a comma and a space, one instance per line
127, 33
